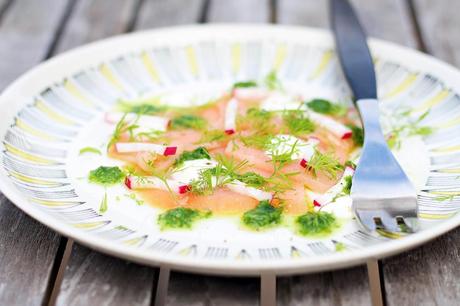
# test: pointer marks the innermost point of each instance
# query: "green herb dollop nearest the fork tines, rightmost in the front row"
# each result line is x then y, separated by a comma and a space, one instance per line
314, 223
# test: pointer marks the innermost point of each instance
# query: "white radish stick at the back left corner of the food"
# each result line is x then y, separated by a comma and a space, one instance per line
143, 121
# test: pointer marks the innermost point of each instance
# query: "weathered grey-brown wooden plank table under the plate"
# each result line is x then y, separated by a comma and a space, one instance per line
39, 267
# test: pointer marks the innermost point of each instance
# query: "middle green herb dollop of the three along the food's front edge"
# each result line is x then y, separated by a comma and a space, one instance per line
263, 216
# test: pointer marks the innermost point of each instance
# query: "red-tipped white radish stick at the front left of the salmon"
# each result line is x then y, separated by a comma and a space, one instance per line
152, 182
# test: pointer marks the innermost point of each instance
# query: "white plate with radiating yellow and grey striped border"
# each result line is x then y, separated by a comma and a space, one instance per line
55, 109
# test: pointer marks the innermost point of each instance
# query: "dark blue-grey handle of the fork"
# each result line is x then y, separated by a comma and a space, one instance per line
353, 51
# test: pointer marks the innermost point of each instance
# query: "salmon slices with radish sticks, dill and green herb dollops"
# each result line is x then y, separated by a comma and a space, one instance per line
257, 151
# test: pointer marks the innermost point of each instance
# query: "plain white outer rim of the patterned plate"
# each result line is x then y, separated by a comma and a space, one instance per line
190, 264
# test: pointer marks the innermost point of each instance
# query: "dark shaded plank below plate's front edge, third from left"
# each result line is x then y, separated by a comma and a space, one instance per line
194, 290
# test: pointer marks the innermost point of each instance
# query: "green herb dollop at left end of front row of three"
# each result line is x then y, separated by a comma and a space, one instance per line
180, 218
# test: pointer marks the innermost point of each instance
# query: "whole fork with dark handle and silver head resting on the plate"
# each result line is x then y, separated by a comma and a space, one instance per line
383, 197
